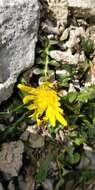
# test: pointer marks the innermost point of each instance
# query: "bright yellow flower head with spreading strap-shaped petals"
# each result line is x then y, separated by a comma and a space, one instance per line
44, 102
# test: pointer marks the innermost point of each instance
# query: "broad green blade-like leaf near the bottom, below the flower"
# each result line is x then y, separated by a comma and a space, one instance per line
43, 170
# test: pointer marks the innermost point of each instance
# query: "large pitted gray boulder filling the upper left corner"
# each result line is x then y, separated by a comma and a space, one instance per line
19, 22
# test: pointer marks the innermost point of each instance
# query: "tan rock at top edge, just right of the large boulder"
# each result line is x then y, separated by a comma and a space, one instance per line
58, 19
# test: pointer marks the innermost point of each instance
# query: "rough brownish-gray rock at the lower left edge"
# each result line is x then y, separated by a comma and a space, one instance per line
11, 158
